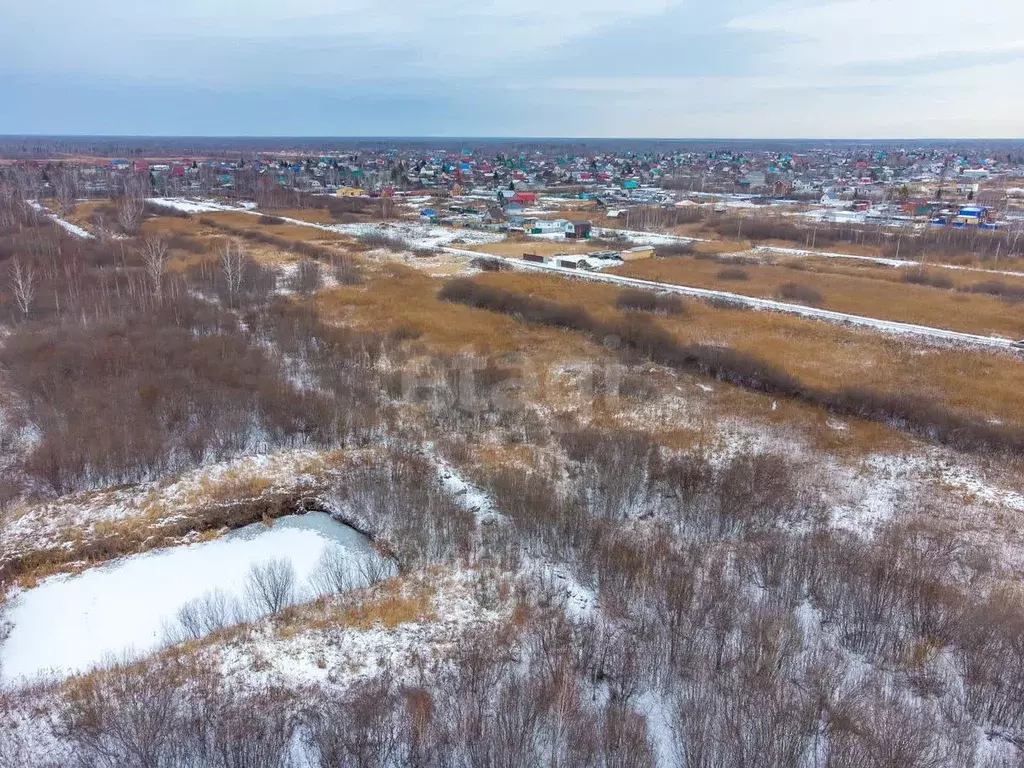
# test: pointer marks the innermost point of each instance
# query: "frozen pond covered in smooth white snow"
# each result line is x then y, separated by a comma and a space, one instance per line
134, 606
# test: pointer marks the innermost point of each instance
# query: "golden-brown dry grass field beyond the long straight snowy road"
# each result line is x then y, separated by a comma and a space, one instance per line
848, 293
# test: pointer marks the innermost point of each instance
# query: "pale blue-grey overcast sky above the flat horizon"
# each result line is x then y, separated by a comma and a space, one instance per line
852, 69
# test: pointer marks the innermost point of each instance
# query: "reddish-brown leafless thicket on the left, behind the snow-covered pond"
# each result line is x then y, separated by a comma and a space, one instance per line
125, 374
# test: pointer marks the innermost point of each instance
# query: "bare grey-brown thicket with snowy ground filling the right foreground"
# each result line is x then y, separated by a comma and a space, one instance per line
732, 626
